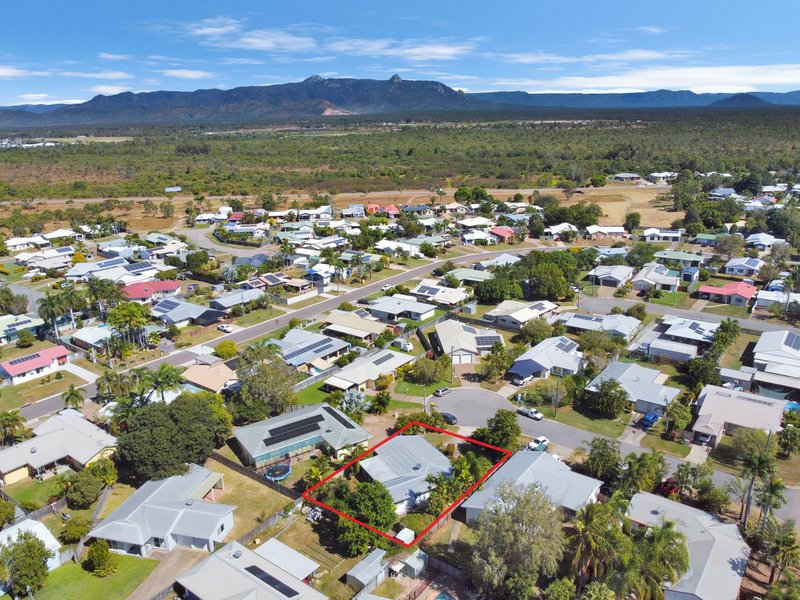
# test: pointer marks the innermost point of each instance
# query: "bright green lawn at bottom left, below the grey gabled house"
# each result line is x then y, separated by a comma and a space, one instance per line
71, 581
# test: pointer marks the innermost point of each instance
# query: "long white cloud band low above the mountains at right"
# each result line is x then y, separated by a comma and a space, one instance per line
729, 79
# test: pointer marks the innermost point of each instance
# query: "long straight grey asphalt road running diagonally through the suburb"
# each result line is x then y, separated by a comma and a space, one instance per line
54, 403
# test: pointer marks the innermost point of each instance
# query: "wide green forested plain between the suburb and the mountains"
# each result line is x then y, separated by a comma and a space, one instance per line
342, 156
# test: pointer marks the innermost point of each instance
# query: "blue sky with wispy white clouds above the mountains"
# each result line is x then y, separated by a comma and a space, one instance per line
55, 51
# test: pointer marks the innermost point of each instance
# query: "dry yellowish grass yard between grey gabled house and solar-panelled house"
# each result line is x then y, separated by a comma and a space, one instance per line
250, 497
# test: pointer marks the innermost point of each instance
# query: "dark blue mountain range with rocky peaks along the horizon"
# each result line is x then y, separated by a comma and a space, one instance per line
318, 97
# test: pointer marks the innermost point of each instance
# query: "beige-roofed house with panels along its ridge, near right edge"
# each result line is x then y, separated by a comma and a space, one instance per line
721, 410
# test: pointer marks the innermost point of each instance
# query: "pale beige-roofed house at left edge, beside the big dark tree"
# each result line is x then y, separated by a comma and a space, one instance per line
63, 439
